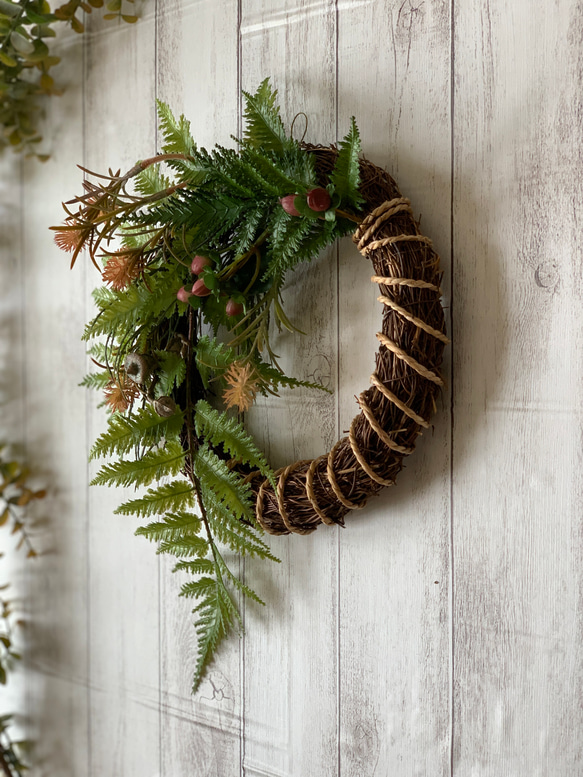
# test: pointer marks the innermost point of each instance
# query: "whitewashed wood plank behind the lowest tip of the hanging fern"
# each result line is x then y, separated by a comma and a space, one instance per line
197, 74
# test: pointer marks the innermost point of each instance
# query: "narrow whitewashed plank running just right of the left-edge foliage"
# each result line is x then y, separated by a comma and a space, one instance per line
53, 316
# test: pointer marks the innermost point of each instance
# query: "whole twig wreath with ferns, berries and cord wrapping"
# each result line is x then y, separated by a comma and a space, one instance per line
194, 247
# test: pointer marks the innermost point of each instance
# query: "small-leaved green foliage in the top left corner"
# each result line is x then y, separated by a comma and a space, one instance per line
26, 26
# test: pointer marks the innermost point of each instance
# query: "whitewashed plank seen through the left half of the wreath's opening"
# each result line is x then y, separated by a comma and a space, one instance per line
291, 647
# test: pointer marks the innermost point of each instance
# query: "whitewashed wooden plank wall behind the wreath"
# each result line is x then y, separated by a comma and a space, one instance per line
441, 632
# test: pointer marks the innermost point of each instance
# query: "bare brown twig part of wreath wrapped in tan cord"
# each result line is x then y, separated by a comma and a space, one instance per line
405, 383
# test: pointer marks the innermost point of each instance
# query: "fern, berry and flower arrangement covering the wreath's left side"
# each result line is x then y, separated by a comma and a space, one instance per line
194, 247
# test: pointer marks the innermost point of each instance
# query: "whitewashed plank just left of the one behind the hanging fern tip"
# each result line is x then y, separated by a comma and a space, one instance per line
123, 572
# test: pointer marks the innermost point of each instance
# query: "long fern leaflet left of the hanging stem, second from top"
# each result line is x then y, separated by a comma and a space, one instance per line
153, 465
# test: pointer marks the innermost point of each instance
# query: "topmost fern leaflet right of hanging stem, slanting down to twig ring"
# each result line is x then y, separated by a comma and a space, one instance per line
219, 429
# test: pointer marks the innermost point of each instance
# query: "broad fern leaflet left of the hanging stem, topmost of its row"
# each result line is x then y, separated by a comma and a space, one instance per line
144, 428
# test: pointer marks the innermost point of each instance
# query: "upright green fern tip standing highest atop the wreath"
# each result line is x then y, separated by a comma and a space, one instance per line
264, 127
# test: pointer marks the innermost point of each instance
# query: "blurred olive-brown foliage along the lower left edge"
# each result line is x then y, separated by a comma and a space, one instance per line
15, 496
